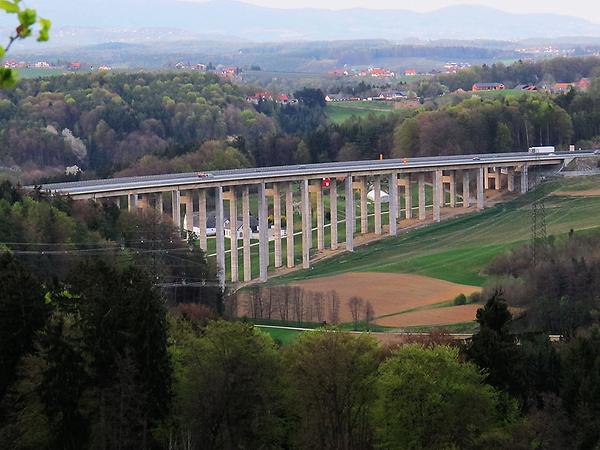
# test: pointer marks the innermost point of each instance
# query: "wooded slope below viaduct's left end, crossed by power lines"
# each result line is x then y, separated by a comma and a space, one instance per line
53, 236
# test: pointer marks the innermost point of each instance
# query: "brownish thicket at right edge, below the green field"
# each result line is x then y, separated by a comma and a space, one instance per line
557, 290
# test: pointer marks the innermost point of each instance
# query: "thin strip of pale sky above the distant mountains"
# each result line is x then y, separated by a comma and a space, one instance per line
589, 9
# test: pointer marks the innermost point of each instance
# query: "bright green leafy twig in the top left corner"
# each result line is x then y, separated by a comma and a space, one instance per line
27, 18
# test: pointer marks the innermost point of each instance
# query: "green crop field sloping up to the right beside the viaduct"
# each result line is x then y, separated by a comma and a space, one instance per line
458, 249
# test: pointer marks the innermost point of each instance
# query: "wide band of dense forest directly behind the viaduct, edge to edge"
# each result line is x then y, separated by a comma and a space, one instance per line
143, 123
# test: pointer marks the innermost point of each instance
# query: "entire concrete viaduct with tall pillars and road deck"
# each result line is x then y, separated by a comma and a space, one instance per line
473, 174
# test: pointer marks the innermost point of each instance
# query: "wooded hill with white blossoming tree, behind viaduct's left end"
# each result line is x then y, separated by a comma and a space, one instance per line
105, 122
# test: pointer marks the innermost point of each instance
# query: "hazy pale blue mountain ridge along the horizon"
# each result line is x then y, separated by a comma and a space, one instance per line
233, 20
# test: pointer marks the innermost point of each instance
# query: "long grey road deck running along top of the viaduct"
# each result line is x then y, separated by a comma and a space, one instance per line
270, 174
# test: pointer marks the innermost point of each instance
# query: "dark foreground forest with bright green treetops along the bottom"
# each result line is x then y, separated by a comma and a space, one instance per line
95, 354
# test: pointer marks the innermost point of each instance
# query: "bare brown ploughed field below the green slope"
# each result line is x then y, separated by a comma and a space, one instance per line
394, 293
